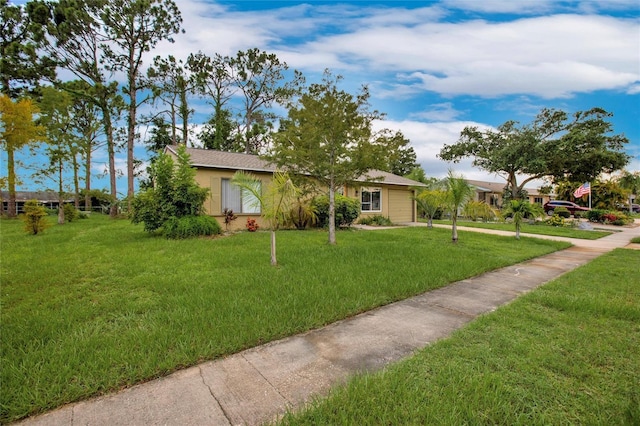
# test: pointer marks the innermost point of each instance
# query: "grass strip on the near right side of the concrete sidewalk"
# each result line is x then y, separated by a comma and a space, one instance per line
566, 353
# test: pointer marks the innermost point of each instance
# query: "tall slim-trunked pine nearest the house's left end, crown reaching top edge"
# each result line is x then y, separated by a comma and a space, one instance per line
134, 27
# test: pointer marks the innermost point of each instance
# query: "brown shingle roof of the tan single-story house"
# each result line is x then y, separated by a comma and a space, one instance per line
209, 158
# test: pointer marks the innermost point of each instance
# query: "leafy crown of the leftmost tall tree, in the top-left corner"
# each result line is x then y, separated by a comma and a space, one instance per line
22, 35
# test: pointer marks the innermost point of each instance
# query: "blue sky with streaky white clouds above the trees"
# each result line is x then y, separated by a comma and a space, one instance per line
435, 67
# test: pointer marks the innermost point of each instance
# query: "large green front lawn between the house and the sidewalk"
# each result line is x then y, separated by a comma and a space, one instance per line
97, 305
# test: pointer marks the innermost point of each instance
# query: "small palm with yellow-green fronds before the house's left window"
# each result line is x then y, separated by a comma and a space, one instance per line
276, 202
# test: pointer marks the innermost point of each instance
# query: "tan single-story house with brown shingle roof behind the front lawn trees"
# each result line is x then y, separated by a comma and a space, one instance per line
380, 193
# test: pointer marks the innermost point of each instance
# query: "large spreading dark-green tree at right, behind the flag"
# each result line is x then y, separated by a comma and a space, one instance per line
554, 146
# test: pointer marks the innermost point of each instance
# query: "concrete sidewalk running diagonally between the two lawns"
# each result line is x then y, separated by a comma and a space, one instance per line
260, 384
